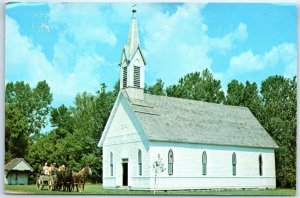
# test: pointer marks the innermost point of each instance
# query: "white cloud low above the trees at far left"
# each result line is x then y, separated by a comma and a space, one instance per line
28, 61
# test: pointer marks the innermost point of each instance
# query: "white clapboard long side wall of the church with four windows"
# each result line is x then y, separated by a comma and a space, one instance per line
187, 167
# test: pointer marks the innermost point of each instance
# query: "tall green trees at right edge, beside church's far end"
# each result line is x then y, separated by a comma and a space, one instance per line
279, 119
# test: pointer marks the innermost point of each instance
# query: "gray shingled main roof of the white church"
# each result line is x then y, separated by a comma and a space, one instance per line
189, 121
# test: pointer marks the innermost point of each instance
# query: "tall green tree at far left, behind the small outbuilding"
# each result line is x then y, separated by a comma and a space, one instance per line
26, 112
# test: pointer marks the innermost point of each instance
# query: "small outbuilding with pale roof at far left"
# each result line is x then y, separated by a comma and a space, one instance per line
17, 171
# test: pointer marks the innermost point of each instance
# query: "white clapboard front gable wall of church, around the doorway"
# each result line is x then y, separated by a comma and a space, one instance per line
124, 142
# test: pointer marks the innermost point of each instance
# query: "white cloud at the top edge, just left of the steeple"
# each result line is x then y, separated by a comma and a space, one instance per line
85, 22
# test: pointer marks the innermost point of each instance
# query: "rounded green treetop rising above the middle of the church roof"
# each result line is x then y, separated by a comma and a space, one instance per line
198, 86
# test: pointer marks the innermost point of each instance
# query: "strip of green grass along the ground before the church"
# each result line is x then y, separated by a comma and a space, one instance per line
97, 189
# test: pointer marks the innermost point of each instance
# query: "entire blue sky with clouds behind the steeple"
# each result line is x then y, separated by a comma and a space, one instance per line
75, 47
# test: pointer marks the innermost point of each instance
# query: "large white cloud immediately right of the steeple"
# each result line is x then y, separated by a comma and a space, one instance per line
179, 42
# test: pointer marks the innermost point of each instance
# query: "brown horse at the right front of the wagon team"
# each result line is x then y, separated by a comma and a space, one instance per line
79, 178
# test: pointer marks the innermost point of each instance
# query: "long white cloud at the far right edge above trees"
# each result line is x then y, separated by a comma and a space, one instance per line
283, 55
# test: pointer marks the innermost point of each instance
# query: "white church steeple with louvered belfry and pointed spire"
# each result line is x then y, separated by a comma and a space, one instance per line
132, 63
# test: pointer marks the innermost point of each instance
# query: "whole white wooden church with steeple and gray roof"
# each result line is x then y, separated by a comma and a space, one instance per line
202, 145
